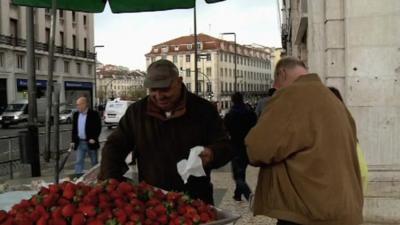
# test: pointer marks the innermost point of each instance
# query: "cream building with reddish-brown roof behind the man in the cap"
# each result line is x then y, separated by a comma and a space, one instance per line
216, 66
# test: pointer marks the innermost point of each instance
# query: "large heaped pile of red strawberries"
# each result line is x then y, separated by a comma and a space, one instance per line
107, 203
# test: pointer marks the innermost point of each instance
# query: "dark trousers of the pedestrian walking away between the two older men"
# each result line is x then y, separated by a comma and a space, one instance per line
239, 165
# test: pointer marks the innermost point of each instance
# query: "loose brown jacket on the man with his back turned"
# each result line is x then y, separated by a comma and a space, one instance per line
305, 143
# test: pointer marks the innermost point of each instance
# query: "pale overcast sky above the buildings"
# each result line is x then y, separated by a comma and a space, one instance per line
128, 37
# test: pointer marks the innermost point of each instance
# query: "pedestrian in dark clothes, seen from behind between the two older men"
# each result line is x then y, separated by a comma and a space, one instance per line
238, 121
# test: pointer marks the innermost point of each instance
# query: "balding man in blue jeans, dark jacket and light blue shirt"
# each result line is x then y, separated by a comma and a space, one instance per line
86, 129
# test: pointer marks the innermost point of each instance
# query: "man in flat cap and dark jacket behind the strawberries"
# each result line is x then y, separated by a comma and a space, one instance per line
161, 129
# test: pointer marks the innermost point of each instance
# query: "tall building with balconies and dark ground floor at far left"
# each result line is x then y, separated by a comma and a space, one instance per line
74, 58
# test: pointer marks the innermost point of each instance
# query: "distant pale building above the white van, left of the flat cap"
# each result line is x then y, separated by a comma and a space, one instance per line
118, 82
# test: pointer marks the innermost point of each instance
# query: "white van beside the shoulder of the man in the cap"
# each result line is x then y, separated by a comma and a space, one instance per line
114, 111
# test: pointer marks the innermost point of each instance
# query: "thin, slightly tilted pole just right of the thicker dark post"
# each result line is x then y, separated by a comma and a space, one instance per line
47, 154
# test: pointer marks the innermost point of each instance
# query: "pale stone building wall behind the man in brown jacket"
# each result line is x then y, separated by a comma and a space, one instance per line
354, 45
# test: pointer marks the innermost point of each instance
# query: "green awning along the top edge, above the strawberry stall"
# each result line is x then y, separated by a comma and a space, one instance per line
117, 6
